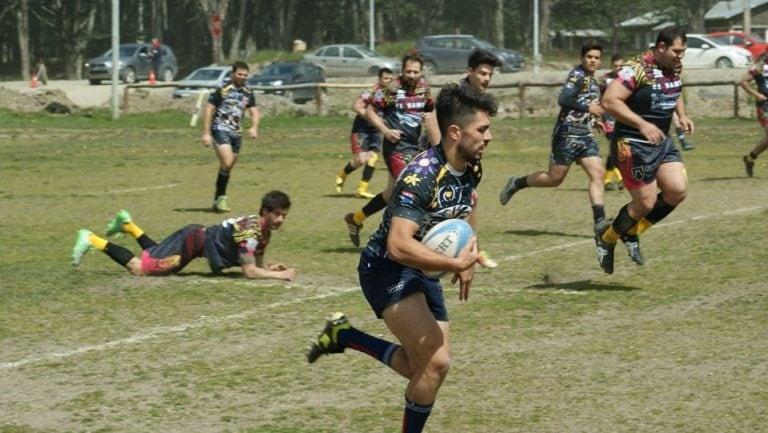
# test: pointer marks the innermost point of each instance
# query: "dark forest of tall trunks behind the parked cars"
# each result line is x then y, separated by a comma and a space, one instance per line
65, 33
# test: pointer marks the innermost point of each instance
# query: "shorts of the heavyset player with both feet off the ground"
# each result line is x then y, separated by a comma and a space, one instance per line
639, 161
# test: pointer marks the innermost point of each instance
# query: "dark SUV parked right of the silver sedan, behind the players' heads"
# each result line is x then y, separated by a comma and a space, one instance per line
449, 54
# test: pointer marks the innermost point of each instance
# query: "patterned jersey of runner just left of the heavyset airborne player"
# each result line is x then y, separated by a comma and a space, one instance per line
579, 90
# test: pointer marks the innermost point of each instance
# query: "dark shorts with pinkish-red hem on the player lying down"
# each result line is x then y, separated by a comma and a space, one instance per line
175, 251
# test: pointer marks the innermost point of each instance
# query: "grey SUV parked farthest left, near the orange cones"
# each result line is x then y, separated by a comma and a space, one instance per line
135, 64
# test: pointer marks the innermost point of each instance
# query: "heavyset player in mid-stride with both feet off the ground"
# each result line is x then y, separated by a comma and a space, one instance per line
643, 99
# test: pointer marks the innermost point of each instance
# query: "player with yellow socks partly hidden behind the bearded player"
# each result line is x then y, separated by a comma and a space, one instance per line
365, 140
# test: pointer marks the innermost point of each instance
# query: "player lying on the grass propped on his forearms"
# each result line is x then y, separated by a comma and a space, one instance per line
235, 241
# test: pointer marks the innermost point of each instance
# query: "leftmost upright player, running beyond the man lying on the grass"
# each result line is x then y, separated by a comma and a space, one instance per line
222, 127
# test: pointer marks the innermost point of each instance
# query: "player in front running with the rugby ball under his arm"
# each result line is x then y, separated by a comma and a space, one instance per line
439, 184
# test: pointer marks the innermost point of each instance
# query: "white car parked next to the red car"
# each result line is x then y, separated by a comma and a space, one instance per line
703, 52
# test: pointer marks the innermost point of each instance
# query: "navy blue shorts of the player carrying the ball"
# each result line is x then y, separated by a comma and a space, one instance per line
386, 282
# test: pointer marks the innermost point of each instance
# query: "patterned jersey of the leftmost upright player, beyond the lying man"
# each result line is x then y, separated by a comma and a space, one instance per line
231, 102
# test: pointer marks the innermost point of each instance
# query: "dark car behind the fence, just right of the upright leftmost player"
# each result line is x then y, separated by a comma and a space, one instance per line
288, 73
